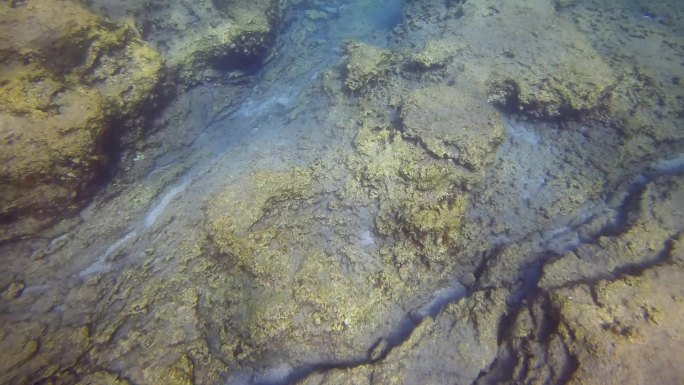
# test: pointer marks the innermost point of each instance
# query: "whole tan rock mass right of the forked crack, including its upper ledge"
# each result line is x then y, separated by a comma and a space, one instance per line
608, 312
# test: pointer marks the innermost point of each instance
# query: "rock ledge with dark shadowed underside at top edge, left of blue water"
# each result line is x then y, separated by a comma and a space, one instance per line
203, 40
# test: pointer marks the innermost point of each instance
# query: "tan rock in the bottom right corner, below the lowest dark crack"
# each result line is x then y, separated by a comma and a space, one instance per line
626, 330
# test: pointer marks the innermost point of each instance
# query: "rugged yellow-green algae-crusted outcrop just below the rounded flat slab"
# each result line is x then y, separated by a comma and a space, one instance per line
421, 200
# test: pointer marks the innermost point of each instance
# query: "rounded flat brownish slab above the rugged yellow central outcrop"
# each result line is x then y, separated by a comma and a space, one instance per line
453, 125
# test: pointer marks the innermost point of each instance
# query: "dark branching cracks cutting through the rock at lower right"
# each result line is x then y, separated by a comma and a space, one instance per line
531, 275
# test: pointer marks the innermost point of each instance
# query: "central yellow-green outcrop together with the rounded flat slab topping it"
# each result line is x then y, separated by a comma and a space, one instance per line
422, 193
